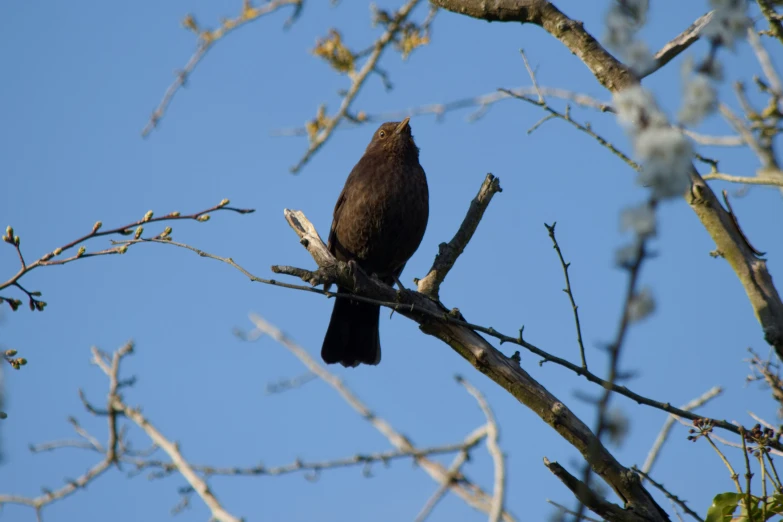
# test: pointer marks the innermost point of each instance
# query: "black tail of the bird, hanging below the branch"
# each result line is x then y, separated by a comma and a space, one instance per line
352, 337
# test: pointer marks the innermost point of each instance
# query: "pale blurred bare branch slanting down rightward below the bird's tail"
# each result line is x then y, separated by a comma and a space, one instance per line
470, 493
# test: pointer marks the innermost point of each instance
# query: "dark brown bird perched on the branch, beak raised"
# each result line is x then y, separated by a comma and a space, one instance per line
379, 221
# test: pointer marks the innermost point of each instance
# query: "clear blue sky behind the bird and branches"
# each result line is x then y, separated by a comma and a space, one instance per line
79, 82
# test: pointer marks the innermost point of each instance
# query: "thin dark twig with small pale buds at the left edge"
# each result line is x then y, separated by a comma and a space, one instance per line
135, 228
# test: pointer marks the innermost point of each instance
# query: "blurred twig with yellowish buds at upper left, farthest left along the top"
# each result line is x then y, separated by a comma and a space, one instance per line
206, 39
